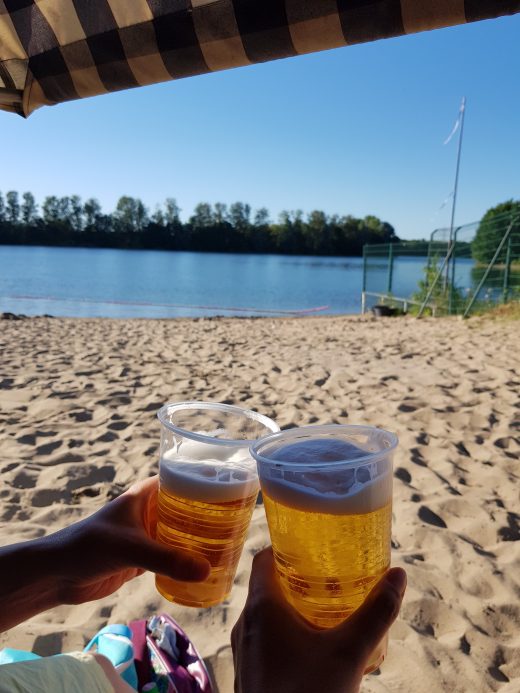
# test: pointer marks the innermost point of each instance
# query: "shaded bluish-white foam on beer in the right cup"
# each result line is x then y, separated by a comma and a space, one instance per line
345, 490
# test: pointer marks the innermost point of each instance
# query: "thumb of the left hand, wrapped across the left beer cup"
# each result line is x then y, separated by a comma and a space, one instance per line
174, 563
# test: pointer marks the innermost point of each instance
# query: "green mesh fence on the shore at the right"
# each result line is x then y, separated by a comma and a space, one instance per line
463, 272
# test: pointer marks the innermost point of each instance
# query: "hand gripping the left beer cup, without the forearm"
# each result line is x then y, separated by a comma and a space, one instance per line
94, 557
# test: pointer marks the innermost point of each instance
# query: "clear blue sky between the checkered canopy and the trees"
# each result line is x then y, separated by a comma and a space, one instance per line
356, 130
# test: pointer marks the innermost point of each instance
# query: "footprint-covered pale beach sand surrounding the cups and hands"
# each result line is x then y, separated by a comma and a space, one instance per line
78, 400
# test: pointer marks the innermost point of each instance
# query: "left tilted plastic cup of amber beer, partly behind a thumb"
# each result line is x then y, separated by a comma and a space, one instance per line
208, 485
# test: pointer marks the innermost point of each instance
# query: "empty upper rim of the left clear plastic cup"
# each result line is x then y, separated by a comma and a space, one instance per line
229, 408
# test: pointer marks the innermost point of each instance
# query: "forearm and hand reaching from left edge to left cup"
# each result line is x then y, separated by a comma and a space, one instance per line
91, 558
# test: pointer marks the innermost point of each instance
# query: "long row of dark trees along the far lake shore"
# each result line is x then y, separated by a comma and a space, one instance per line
70, 221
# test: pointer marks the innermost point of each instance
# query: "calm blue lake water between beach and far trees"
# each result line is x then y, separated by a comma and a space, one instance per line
146, 283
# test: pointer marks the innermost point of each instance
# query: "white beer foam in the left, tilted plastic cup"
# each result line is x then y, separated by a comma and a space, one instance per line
227, 475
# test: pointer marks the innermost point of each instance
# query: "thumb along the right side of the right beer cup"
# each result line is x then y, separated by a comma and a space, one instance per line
367, 626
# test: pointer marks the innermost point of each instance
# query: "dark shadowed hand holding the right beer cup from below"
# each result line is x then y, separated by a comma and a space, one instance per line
275, 650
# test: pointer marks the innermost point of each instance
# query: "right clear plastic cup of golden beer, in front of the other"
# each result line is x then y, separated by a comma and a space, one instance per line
327, 492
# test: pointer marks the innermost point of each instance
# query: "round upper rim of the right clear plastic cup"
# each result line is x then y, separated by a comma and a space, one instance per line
324, 429
